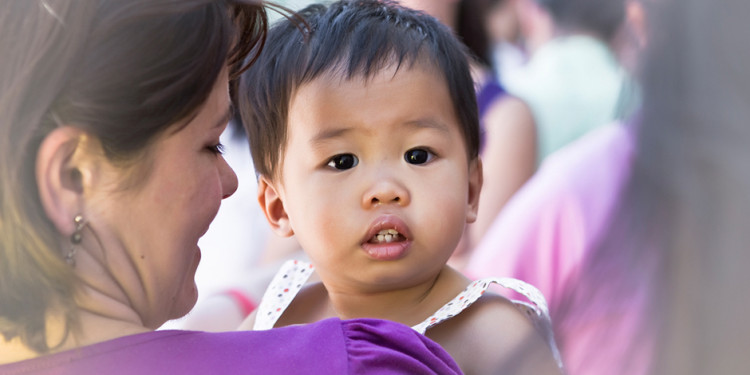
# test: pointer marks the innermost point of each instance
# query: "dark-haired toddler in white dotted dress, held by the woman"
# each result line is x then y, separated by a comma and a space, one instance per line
364, 132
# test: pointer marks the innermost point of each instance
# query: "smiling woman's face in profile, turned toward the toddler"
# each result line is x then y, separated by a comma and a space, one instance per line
149, 234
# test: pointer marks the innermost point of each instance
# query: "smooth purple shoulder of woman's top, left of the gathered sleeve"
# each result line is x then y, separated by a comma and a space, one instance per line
194, 352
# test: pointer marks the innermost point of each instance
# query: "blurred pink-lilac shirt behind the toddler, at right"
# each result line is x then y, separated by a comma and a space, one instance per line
549, 228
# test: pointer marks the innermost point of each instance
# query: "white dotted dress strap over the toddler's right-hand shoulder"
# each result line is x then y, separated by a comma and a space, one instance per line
537, 310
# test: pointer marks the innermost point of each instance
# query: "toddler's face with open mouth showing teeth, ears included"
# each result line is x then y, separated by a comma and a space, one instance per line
364, 159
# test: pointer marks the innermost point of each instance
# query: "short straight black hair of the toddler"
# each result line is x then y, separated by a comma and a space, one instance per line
348, 39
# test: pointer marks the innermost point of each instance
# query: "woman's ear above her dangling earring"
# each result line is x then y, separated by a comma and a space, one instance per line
59, 180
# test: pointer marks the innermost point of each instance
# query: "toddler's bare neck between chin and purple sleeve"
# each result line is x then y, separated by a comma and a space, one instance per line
409, 306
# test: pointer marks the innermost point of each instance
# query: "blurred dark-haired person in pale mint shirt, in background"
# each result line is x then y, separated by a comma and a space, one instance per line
573, 81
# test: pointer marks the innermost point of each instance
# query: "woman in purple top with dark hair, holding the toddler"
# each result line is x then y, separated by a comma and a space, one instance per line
110, 114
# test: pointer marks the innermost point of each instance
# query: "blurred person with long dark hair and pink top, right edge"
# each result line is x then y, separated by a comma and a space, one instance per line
635, 233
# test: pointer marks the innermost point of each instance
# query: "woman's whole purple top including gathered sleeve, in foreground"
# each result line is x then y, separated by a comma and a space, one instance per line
331, 346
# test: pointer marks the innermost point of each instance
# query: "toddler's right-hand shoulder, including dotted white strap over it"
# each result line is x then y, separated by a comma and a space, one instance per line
487, 332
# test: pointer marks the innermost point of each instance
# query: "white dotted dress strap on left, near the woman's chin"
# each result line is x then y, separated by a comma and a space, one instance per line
284, 286
